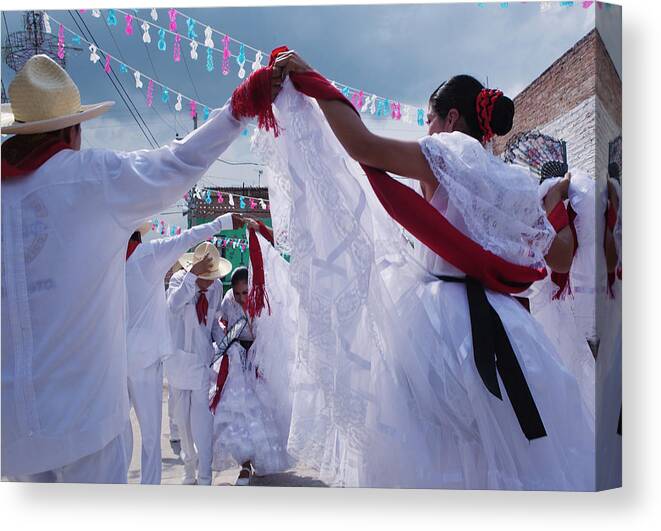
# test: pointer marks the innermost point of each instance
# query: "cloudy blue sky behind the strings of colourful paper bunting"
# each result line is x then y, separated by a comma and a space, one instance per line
400, 51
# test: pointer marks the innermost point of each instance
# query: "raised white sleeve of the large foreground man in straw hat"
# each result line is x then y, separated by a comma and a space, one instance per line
139, 183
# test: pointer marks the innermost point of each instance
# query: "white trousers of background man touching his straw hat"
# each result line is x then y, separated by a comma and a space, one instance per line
195, 424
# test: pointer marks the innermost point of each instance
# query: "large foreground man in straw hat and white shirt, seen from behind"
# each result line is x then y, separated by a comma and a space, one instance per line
67, 214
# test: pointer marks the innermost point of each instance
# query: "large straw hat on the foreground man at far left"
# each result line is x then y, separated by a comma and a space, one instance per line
45, 98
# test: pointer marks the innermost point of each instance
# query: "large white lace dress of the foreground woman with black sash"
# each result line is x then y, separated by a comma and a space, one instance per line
385, 389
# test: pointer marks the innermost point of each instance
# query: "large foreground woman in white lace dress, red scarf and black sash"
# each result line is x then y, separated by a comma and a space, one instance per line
416, 368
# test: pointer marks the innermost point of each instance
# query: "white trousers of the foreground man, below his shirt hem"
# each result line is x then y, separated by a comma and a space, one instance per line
108, 465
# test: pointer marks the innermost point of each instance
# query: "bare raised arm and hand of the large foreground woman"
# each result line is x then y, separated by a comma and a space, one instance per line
400, 157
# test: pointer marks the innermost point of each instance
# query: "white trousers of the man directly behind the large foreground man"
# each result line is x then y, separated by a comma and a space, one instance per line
146, 395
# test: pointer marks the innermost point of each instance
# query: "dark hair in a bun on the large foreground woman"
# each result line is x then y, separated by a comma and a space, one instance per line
460, 92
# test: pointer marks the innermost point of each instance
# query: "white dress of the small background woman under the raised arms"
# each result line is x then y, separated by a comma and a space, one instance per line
244, 427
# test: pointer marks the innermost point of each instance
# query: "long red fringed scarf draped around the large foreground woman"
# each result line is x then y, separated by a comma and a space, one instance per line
402, 203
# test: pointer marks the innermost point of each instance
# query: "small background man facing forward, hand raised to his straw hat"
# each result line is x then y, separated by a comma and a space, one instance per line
194, 300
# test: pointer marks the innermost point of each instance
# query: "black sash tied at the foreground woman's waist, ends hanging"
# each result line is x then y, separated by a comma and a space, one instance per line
495, 356
